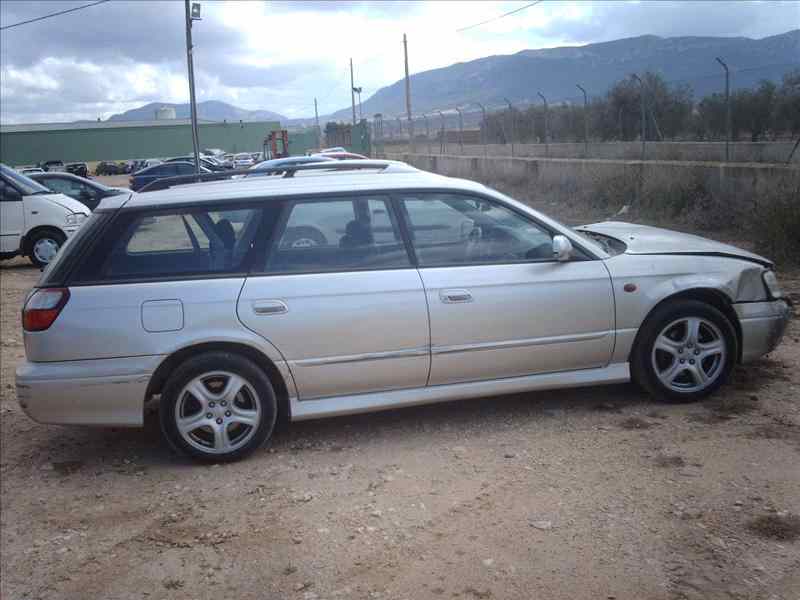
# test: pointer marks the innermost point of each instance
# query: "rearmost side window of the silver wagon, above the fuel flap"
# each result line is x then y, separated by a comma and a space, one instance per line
147, 245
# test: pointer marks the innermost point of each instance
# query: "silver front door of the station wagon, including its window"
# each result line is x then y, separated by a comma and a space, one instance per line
500, 305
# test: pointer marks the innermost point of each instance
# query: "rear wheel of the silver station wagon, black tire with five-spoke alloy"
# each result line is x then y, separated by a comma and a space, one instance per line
234, 391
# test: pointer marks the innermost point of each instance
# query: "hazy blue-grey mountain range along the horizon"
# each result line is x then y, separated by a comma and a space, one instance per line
554, 72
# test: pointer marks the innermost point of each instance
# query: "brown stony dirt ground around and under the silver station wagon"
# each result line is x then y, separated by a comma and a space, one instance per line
596, 493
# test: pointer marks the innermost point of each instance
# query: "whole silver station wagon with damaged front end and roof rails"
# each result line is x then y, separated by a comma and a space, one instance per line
369, 285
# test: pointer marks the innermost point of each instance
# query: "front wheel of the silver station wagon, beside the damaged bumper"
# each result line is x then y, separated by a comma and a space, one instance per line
684, 352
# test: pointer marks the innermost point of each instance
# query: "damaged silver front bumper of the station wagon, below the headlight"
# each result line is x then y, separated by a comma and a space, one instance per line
763, 325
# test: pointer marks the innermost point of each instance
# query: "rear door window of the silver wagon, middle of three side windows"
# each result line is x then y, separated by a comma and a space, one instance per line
339, 234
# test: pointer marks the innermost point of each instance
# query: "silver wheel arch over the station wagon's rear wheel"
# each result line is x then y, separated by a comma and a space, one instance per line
169, 364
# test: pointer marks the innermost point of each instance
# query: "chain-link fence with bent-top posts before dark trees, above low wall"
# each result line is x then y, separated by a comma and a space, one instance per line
638, 118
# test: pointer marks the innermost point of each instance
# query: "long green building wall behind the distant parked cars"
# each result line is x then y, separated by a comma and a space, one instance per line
124, 143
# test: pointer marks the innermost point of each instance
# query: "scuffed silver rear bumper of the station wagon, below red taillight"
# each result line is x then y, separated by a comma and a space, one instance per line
108, 392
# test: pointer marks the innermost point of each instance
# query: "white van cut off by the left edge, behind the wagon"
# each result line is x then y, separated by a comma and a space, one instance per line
34, 222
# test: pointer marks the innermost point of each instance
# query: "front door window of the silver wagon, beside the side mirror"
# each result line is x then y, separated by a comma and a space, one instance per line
451, 229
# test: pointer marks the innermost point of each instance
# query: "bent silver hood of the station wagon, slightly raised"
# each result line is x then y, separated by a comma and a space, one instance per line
642, 239
